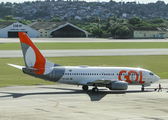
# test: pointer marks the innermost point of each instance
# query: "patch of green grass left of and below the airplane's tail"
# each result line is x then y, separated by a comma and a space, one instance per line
13, 76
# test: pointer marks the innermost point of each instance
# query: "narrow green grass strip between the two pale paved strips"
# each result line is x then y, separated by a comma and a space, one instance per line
52, 46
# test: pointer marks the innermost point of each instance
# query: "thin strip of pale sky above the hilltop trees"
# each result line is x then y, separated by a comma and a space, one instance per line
140, 1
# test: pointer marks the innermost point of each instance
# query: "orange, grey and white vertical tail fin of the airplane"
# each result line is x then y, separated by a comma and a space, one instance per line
33, 57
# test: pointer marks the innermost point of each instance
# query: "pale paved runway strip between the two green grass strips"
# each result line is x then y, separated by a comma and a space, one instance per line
87, 52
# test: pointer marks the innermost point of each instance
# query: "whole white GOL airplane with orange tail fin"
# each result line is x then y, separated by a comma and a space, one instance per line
114, 78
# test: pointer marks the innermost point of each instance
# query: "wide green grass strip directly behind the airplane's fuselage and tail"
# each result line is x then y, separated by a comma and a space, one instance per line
14, 76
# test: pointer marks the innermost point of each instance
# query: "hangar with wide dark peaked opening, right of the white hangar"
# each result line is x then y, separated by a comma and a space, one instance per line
58, 29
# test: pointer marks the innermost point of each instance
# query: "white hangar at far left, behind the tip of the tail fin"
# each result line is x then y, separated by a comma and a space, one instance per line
11, 29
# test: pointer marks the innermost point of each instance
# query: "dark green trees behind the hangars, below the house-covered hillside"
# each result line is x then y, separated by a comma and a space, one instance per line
111, 27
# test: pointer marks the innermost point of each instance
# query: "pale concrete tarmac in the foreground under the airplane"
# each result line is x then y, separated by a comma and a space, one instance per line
62, 102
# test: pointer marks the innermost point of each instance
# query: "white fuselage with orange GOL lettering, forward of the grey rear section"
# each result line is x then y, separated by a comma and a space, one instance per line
82, 74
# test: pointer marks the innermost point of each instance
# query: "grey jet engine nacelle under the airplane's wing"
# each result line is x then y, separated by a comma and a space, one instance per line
118, 85
